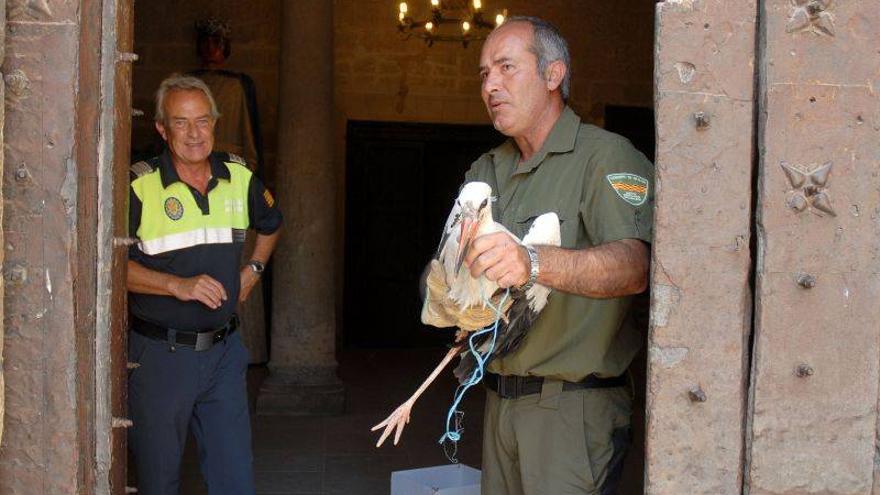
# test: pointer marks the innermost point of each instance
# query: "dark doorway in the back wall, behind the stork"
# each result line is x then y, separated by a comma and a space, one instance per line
400, 182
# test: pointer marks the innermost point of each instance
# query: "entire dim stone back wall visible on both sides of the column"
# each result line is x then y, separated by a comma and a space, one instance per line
379, 76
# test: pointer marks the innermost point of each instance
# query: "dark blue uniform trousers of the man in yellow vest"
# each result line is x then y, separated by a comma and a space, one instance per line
206, 391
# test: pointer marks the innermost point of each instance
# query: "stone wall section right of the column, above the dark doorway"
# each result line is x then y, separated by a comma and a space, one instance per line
381, 77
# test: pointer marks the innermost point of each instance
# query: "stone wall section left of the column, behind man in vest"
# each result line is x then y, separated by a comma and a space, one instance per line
165, 42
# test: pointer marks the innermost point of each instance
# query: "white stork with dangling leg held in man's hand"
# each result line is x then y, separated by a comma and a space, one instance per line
454, 298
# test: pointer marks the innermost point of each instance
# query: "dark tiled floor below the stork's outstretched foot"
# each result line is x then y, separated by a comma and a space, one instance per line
336, 455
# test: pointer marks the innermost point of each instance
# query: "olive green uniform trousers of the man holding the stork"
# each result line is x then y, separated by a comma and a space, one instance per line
556, 442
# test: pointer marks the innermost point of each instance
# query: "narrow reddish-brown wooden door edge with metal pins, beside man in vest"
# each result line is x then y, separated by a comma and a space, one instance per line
111, 337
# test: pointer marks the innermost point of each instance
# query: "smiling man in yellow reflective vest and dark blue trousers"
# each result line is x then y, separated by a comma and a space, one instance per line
189, 209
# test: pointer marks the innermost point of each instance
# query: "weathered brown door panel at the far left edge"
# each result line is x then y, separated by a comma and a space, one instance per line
38, 454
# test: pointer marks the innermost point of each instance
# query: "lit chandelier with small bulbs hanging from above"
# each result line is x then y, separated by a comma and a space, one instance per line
459, 21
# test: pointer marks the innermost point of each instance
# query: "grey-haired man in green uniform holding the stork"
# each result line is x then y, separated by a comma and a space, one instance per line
558, 408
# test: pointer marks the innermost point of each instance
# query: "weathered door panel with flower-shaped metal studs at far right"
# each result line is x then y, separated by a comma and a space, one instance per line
815, 375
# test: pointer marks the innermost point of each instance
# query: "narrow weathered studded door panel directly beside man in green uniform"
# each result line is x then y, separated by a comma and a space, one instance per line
700, 308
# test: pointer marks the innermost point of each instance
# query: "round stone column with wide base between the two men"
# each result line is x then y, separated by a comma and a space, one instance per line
302, 363
